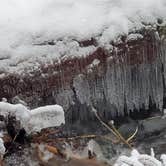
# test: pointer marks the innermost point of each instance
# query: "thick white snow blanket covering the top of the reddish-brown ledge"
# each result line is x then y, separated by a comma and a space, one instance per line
41, 31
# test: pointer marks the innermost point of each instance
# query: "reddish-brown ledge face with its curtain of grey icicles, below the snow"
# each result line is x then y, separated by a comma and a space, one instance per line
127, 79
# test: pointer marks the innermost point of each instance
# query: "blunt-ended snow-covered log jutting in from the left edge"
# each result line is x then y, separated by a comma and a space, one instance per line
36, 119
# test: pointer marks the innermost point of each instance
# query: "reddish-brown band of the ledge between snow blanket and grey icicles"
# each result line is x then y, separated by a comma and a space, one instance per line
59, 76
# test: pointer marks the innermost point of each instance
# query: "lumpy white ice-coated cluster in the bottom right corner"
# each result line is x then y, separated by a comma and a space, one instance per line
137, 159
